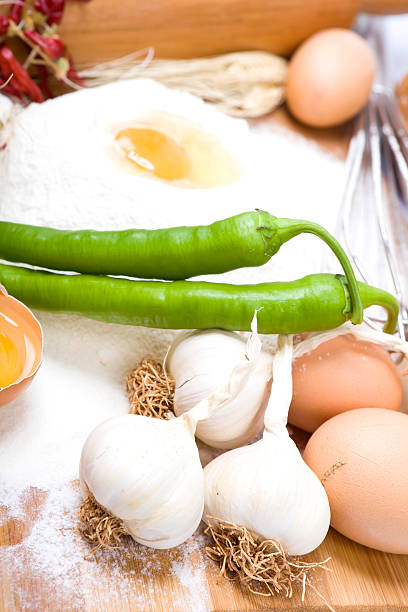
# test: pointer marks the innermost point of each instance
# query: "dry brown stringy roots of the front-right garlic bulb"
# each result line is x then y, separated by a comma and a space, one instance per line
255, 563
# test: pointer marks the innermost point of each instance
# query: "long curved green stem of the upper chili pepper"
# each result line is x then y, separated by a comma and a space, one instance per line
289, 228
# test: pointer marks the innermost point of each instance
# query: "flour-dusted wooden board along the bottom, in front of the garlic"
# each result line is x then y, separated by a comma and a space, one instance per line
361, 580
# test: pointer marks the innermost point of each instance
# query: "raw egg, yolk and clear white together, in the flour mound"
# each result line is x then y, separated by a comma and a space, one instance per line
176, 151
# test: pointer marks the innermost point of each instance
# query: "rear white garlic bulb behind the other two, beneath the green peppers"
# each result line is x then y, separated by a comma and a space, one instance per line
202, 362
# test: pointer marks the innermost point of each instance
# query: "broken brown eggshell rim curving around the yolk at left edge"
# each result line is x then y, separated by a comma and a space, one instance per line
24, 318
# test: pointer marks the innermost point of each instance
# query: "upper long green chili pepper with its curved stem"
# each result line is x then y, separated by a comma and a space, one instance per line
245, 240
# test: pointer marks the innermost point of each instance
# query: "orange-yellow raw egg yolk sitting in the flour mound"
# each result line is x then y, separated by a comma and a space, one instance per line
154, 151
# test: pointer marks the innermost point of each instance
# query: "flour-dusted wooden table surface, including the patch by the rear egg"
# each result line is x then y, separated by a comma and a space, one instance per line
183, 579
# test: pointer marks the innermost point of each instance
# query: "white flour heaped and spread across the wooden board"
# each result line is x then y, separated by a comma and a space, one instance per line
82, 379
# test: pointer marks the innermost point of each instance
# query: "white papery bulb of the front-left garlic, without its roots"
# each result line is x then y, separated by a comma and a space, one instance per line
146, 472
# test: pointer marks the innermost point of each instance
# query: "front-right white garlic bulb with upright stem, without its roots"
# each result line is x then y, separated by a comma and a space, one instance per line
267, 487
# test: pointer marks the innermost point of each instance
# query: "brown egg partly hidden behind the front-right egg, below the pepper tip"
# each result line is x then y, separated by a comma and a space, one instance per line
342, 374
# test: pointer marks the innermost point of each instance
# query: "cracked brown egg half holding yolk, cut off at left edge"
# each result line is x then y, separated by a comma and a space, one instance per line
21, 346
